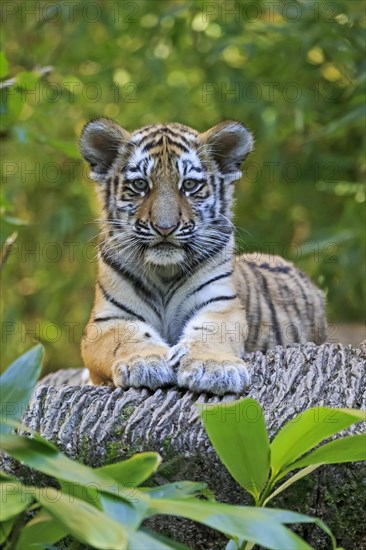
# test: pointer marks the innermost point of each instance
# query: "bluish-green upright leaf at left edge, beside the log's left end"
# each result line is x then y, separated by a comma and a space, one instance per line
18, 382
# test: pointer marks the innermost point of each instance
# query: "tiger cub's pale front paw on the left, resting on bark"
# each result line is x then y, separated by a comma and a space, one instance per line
150, 371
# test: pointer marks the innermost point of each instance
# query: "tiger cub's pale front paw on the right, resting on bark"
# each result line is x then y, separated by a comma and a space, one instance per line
219, 375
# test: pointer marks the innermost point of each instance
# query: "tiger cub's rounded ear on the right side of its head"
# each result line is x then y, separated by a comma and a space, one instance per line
228, 143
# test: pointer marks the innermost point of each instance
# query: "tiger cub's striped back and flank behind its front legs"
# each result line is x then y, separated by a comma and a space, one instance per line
282, 305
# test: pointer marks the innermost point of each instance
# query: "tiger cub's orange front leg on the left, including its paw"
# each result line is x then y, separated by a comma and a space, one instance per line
127, 354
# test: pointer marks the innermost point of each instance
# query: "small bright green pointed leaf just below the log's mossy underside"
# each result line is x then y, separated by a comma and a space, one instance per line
133, 471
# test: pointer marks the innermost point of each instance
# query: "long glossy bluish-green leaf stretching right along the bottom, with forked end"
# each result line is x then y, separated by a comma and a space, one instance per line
257, 525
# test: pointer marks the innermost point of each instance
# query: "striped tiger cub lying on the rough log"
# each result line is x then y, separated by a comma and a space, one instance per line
173, 304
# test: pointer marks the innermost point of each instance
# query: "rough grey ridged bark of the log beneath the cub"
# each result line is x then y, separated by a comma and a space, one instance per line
99, 425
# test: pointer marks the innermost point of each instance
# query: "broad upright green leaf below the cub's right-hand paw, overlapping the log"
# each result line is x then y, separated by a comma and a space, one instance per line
238, 433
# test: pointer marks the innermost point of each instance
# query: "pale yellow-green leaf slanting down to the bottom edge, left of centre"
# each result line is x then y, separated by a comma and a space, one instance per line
85, 522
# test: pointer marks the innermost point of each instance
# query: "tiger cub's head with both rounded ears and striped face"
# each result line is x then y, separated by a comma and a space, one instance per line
166, 189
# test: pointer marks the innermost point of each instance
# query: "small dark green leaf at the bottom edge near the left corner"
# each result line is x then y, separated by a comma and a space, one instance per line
42, 530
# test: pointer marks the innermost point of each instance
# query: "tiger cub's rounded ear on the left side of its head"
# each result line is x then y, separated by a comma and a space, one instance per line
100, 142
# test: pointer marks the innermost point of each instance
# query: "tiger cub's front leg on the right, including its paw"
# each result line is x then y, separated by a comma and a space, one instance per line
208, 357
